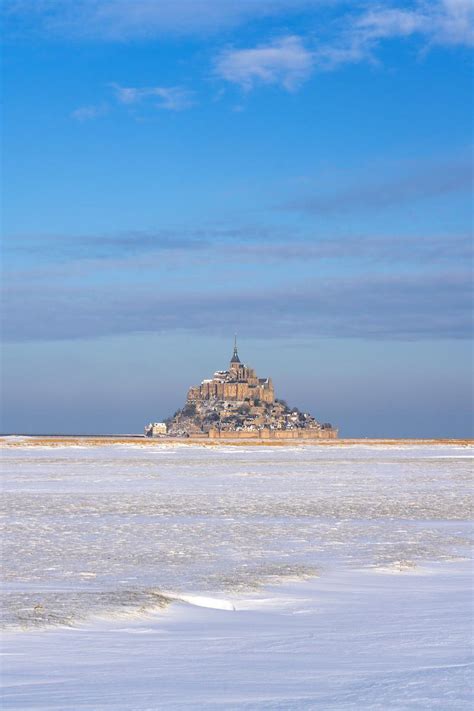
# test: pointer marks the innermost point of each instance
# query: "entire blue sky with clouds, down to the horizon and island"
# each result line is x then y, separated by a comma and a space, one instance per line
299, 172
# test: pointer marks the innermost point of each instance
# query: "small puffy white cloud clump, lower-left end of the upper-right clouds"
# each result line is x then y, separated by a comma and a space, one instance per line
285, 61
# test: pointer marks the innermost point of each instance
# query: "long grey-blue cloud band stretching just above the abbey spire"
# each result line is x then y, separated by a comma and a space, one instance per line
413, 307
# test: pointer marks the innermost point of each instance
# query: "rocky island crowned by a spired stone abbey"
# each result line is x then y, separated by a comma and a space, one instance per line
235, 403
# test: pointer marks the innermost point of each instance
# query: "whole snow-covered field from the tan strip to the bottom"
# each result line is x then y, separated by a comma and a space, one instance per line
174, 577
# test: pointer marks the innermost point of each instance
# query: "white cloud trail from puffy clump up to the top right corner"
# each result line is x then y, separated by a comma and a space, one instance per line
291, 60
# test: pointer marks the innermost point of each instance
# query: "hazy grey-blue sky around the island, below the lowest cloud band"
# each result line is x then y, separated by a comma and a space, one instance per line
374, 389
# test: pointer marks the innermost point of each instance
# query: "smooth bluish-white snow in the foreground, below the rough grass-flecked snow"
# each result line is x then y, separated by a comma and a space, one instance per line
347, 640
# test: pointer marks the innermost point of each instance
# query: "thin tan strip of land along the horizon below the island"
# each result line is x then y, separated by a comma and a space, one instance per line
139, 440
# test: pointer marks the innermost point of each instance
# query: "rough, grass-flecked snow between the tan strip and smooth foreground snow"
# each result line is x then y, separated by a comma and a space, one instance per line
120, 529
